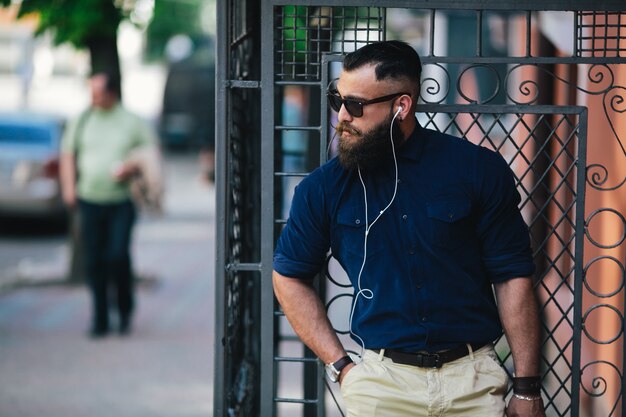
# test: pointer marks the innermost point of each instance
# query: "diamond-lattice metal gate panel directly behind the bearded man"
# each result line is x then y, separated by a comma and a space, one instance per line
520, 138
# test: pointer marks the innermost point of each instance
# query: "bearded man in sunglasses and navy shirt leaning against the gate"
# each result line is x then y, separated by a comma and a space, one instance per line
426, 226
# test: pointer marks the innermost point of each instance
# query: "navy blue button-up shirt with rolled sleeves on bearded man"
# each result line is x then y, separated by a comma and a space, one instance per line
453, 229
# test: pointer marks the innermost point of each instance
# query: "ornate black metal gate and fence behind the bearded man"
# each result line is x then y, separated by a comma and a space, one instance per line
525, 78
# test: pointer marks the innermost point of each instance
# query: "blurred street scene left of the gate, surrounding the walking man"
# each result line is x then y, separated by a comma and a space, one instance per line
48, 364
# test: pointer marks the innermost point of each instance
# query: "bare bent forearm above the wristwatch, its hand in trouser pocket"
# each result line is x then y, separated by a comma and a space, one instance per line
306, 314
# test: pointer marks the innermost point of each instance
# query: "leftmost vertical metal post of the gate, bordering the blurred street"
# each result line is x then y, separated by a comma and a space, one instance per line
221, 235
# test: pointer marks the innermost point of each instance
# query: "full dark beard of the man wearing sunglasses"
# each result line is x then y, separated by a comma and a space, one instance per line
369, 150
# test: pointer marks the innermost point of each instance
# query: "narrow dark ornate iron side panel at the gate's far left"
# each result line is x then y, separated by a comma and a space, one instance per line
237, 150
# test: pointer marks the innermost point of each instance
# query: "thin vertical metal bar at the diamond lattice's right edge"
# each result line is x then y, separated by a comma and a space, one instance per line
581, 179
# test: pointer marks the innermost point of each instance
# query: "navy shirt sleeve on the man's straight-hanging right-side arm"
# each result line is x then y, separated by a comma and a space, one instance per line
503, 233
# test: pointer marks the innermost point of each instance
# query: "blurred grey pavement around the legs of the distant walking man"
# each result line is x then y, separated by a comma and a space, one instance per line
48, 366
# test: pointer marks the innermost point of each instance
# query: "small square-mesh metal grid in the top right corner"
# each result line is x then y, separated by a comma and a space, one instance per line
601, 34
